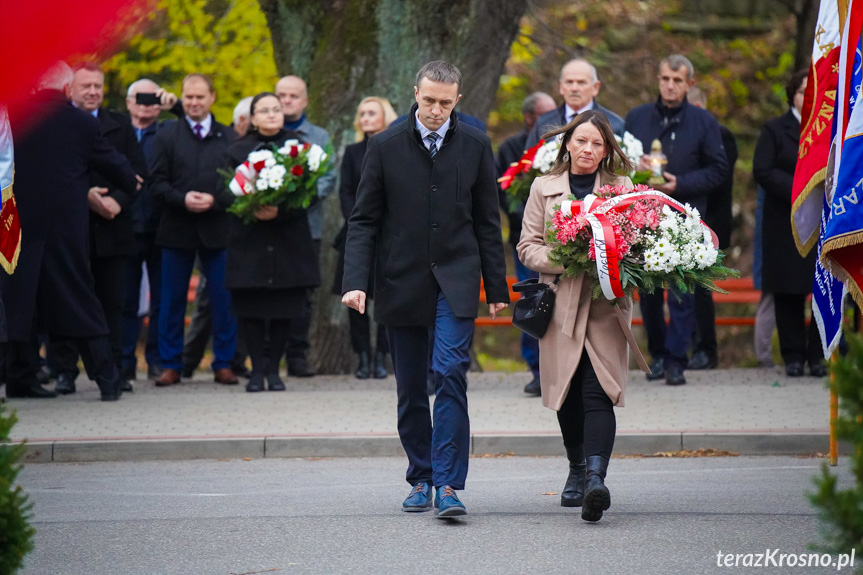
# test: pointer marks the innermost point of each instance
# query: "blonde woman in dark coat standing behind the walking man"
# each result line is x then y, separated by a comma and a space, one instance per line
373, 115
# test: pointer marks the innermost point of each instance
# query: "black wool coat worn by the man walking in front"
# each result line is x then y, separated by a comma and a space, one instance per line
428, 222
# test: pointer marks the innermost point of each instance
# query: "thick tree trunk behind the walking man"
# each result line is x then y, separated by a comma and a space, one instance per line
349, 49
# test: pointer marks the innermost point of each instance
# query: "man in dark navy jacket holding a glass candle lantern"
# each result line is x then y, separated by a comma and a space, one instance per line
696, 168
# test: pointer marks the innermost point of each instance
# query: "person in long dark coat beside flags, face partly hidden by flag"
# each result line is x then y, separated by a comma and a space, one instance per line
785, 274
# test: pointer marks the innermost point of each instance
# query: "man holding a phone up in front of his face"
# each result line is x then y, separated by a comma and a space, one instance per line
145, 221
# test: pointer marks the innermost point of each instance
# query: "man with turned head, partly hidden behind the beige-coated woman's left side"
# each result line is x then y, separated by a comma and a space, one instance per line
509, 152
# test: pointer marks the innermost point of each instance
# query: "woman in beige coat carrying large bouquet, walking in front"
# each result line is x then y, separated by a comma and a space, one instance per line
584, 354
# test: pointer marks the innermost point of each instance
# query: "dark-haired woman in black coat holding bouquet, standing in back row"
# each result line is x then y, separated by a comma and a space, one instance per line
271, 262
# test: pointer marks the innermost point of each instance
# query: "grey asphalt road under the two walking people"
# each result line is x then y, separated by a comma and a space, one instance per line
668, 516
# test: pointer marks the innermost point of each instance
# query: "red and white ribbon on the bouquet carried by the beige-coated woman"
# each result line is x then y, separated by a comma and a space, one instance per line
605, 245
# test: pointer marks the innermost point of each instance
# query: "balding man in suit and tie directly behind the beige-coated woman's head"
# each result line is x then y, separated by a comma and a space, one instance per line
579, 86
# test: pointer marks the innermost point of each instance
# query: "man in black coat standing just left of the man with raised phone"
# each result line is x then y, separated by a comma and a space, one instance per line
112, 239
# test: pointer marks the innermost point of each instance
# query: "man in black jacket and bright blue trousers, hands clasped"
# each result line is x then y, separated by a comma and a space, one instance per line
186, 158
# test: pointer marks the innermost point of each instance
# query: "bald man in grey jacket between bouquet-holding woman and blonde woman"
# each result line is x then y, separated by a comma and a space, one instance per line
293, 94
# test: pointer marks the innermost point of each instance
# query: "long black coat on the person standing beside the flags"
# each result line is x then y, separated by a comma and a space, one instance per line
783, 270
